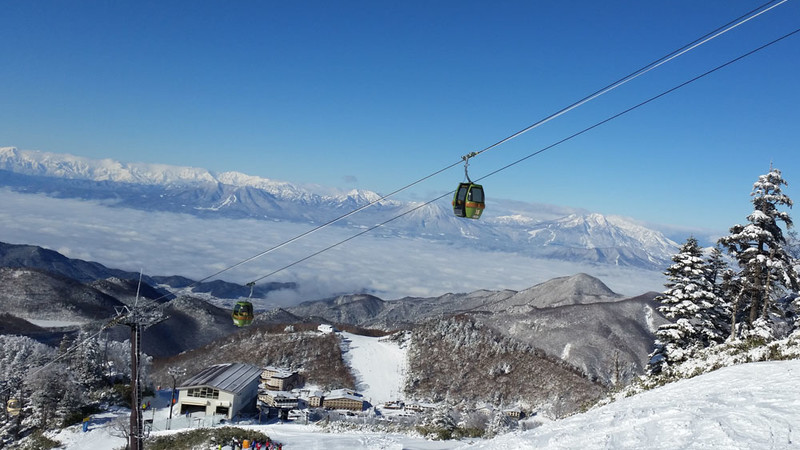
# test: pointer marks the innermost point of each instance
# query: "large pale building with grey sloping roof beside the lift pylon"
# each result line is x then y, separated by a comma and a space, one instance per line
220, 389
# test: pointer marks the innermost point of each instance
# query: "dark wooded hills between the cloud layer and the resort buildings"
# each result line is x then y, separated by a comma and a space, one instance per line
548, 349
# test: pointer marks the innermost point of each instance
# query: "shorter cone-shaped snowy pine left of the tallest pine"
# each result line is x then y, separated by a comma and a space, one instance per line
689, 301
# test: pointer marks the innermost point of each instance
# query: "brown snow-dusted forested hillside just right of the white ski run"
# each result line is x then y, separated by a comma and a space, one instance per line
459, 361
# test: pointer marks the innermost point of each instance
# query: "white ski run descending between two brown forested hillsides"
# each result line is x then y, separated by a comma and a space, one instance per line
379, 366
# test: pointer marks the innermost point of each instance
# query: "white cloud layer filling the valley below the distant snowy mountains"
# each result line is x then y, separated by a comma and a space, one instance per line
161, 243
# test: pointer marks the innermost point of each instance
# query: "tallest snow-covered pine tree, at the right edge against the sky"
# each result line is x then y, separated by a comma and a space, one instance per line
766, 268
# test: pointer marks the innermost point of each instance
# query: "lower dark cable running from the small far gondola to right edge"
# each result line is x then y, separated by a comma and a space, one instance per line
572, 136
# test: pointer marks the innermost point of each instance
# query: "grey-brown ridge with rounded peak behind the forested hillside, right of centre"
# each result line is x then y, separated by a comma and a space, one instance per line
575, 318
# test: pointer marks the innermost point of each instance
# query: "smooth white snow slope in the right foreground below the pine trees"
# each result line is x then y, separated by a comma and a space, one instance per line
741, 407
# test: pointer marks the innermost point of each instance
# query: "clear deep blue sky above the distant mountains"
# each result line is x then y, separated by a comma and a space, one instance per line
376, 94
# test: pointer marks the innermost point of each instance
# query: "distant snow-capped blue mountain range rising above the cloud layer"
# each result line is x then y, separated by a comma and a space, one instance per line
541, 231
